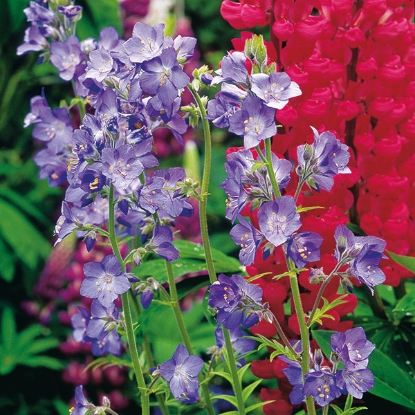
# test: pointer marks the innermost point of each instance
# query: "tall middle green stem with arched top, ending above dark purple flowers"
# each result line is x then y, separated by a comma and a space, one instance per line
205, 186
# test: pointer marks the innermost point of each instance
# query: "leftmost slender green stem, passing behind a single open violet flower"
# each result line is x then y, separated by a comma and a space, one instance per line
145, 401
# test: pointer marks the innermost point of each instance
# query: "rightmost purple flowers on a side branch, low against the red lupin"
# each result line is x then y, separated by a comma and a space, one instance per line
362, 254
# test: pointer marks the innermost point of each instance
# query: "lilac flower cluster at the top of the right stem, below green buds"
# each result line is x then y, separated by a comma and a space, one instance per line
247, 103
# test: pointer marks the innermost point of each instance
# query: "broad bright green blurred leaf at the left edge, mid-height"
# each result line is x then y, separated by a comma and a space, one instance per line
28, 244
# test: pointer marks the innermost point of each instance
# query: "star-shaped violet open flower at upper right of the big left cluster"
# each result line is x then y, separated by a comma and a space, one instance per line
163, 76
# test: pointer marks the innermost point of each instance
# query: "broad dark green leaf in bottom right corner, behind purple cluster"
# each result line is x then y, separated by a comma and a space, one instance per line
391, 381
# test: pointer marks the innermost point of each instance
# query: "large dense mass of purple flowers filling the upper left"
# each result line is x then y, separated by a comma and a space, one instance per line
133, 88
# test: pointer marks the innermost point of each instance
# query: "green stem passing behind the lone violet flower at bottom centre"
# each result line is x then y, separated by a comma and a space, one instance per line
185, 335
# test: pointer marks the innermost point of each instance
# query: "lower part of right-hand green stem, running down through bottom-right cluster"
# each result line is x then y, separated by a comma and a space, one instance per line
305, 339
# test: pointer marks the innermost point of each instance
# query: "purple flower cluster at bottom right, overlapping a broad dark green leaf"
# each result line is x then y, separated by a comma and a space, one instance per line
325, 384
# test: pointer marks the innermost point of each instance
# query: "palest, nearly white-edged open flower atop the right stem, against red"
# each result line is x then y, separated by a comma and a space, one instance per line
274, 89
